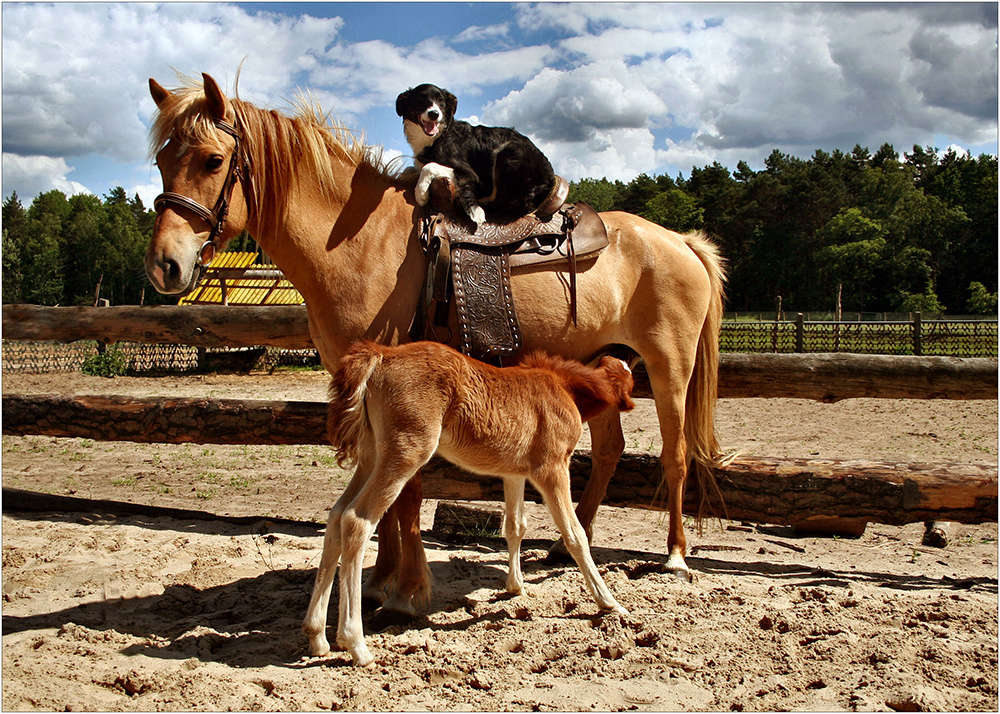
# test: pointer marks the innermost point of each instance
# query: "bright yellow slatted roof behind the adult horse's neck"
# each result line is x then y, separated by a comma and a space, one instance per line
234, 279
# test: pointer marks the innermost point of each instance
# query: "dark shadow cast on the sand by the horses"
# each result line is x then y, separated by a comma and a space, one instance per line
255, 621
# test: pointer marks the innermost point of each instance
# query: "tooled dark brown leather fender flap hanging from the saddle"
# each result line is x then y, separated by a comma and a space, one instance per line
483, 301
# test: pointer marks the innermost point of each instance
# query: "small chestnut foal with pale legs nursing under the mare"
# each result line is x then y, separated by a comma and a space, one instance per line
393, 408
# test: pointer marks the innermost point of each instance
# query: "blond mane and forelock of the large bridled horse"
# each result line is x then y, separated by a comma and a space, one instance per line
279, 149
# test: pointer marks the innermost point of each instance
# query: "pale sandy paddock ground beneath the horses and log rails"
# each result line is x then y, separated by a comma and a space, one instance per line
156, 613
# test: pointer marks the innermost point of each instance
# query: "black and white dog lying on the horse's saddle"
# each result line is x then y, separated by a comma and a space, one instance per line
491, 166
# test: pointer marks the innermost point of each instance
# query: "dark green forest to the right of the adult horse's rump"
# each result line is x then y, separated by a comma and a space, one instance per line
862, 231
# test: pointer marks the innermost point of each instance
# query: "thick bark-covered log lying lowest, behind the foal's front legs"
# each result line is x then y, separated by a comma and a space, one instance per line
778, 491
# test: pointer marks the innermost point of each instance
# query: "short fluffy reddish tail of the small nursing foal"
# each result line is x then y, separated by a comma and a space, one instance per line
347, 417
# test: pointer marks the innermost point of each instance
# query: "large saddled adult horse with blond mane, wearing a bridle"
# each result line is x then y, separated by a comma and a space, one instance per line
342, 228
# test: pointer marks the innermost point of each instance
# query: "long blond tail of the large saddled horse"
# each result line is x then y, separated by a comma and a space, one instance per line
704, 452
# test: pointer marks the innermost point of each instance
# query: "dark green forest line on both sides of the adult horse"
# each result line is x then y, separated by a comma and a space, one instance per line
867, 232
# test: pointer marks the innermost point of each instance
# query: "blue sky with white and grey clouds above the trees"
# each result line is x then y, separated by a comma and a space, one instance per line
606, 90
